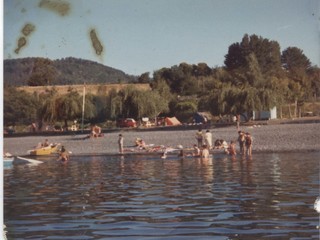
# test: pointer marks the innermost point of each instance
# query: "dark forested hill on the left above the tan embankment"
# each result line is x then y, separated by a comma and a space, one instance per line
43, 71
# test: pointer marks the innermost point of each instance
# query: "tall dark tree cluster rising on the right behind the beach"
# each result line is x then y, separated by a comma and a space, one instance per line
256, 76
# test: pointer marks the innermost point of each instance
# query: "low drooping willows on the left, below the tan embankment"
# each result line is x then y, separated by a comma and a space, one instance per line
51, 107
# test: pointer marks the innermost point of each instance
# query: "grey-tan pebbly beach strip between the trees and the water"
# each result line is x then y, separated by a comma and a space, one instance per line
266, 138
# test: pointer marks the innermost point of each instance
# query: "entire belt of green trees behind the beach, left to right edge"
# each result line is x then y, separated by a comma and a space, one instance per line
256, 76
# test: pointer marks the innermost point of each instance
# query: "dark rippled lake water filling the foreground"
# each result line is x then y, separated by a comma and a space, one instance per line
271, 196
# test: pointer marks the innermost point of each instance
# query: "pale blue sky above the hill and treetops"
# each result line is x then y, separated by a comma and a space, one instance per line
145, 35
